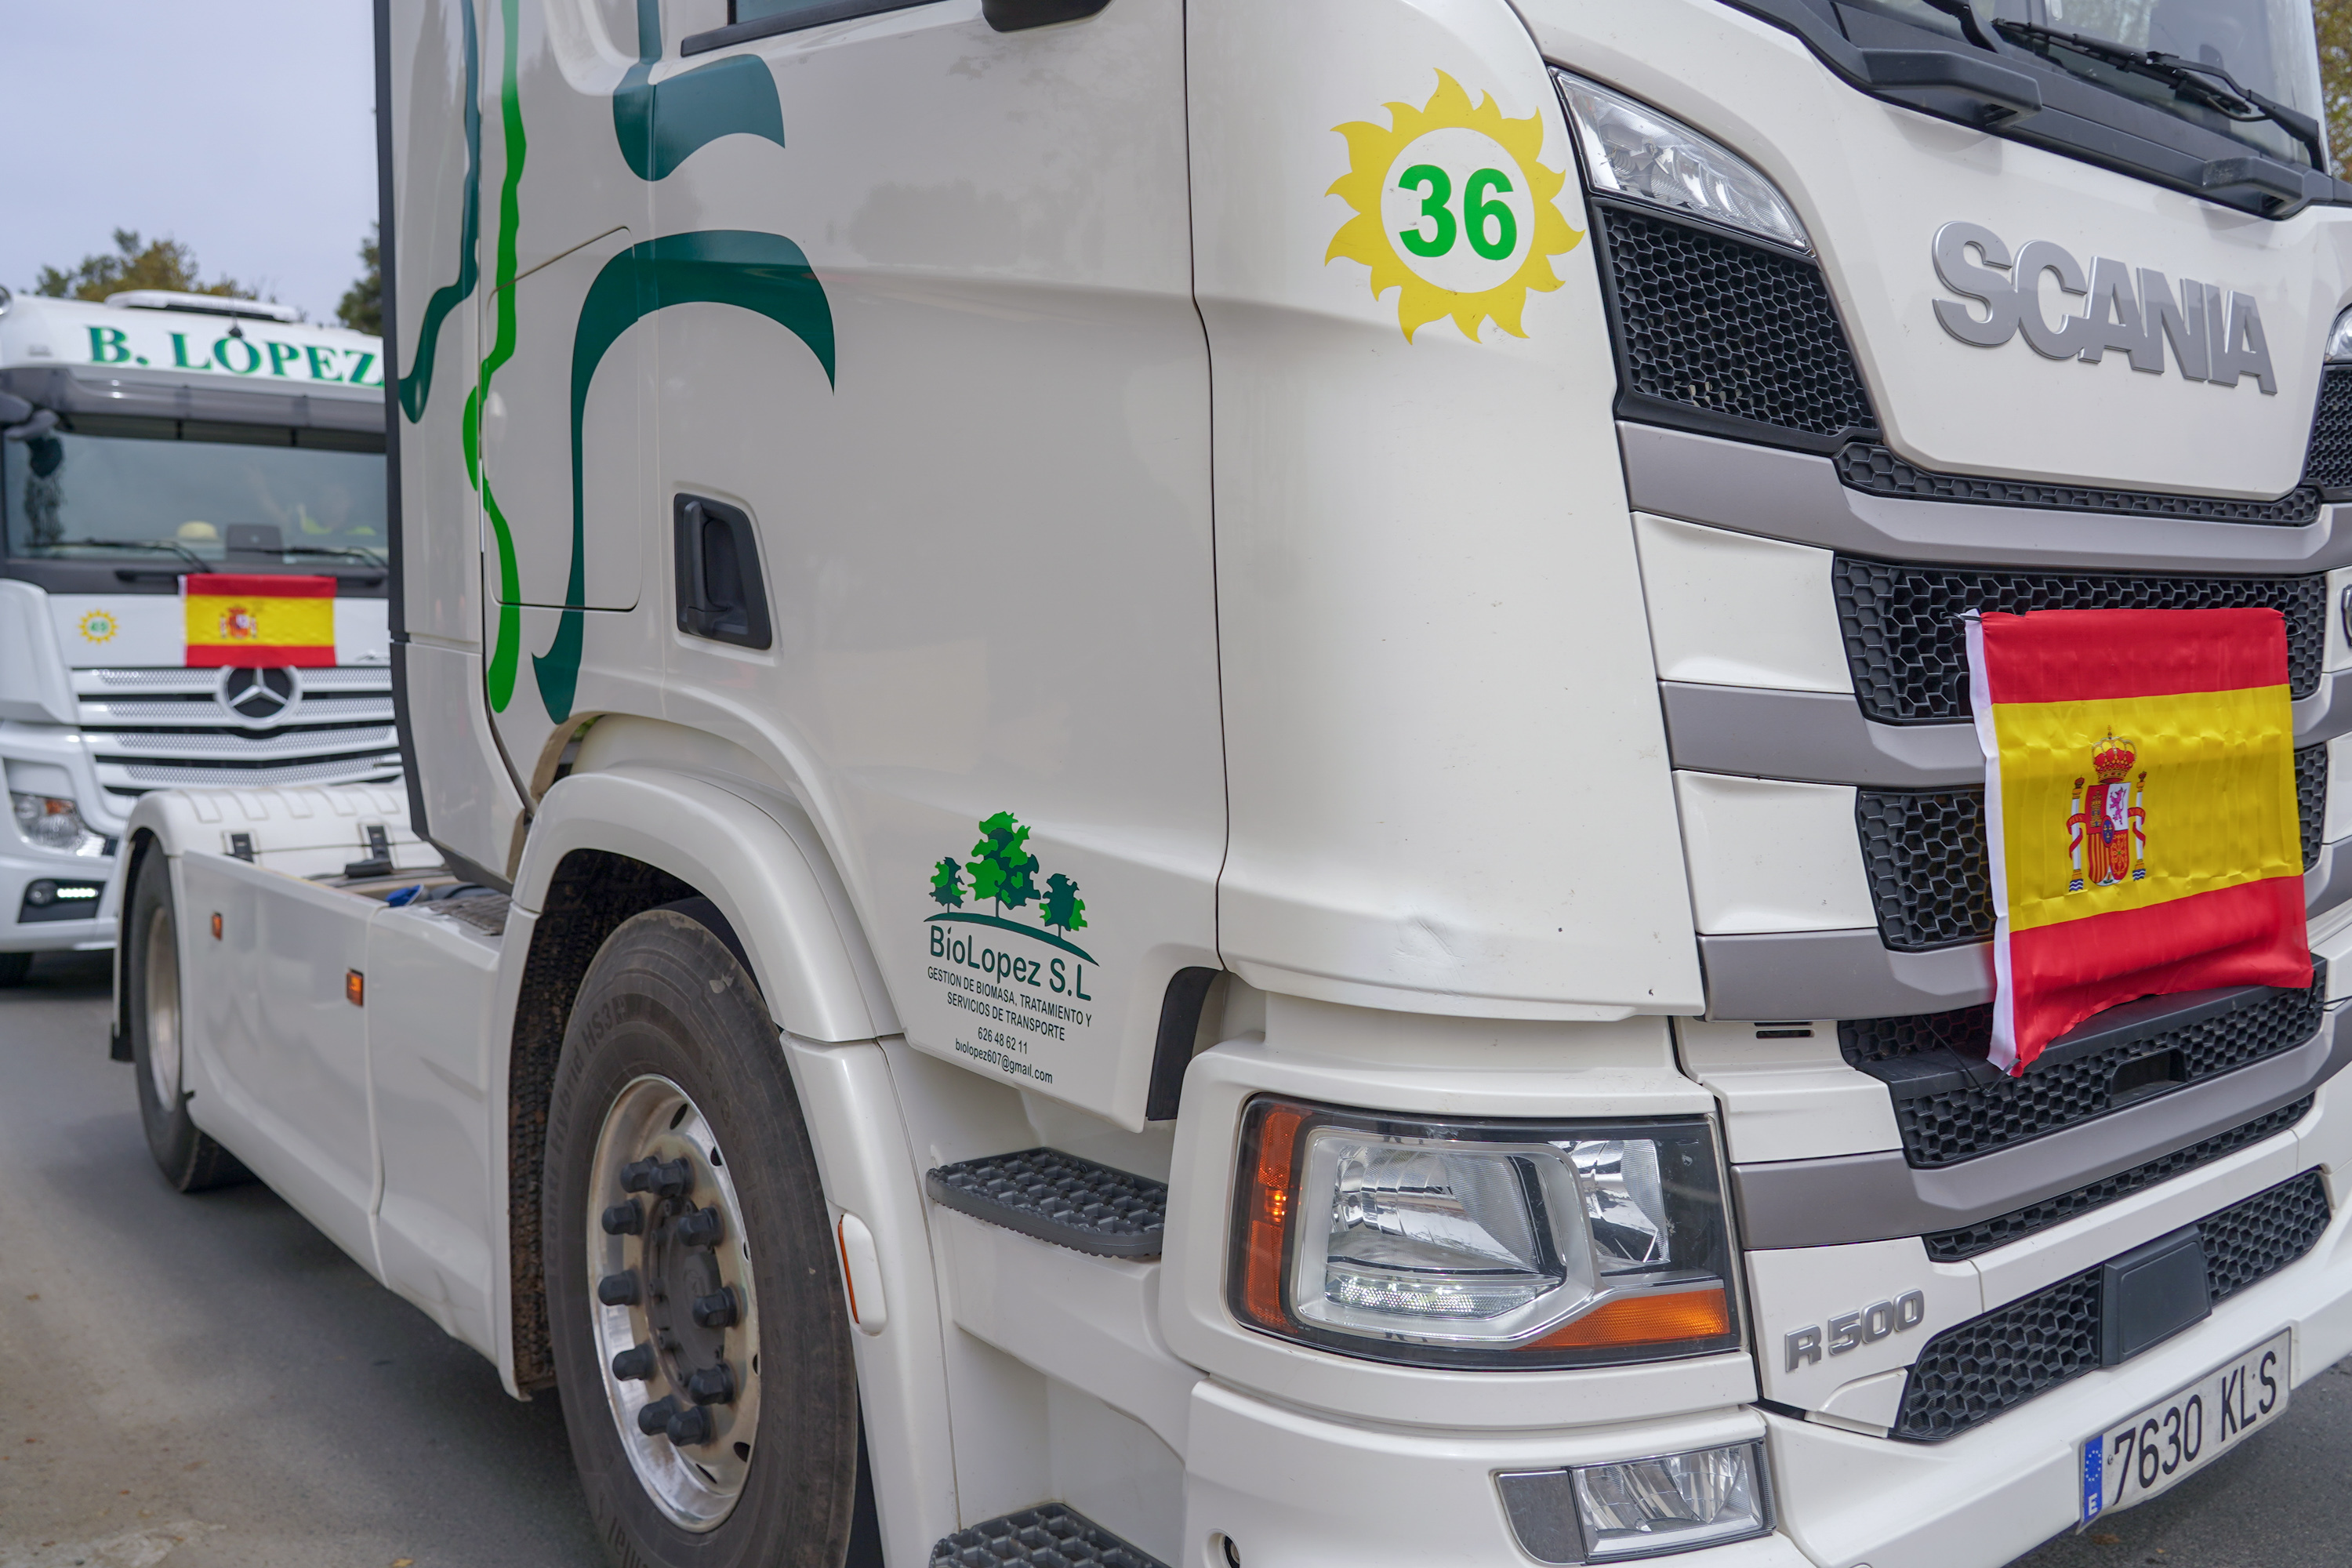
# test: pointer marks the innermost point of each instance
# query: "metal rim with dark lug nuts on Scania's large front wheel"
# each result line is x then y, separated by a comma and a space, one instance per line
653, 1348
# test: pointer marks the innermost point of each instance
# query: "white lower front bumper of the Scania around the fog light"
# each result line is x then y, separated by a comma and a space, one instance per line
1309, 1492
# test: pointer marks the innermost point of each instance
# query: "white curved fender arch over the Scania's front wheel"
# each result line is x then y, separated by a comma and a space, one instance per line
770, 880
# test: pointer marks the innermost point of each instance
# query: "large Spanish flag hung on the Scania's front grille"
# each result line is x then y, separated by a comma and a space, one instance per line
2139, 810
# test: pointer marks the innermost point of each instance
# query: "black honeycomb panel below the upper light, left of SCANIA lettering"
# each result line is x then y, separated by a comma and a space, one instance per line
1728, 328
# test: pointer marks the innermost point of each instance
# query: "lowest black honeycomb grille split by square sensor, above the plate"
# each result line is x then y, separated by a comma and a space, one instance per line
1996, 1362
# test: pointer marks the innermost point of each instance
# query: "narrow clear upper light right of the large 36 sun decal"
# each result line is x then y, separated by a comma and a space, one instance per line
1638, 154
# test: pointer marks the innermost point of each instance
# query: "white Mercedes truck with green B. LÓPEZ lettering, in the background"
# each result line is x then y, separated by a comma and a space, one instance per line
147, 441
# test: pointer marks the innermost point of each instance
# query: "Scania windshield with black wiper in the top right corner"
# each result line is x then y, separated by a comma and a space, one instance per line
2245, 69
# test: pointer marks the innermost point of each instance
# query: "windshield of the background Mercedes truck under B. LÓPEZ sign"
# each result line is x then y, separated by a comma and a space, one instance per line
194, 495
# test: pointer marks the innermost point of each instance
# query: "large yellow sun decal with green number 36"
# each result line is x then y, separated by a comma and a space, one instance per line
1452, 210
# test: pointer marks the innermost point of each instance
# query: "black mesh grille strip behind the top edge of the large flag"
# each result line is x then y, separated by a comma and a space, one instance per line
1909, 650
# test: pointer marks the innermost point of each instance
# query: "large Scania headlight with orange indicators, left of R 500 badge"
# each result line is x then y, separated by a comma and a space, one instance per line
1483, 1245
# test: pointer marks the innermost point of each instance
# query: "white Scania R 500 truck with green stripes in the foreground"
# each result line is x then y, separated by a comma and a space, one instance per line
1191, 784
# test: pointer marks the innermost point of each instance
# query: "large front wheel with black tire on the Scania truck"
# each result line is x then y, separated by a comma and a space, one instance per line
695, 1304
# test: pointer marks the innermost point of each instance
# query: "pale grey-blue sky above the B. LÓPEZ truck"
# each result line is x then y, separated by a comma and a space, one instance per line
241, 128
